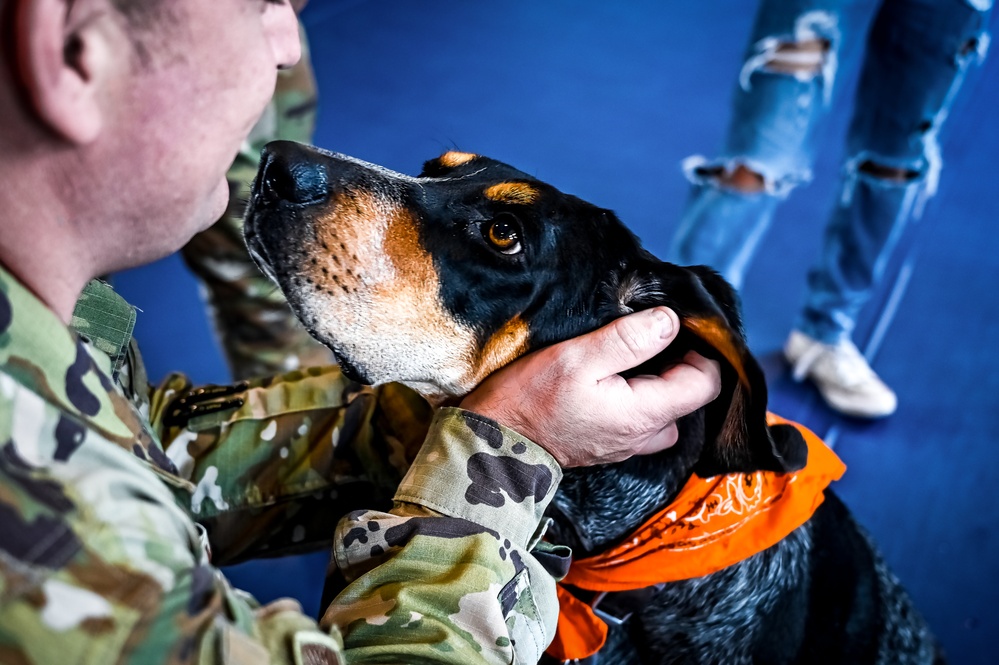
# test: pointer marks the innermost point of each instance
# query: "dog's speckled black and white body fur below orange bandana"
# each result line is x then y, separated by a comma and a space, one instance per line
797, 602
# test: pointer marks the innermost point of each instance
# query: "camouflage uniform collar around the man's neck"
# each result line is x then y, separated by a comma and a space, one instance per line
41, 354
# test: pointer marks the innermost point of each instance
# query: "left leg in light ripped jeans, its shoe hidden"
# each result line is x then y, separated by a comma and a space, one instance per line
783, 91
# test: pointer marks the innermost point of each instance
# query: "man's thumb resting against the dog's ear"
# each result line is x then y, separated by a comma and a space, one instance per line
629, 341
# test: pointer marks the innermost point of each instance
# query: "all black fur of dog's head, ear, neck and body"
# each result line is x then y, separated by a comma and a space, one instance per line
822, 595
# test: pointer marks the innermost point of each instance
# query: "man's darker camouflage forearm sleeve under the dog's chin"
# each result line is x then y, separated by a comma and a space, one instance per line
269, 466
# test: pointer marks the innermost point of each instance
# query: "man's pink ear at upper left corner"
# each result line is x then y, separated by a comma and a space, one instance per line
63, 58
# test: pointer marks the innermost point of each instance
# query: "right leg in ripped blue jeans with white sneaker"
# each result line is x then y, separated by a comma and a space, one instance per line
917, 55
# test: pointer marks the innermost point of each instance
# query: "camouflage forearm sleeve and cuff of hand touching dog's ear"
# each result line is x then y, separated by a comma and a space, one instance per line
452, 573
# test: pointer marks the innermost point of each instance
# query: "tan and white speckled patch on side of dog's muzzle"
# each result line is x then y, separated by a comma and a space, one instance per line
381, 305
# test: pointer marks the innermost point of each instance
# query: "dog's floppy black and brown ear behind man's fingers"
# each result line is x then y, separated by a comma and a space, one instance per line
737, 438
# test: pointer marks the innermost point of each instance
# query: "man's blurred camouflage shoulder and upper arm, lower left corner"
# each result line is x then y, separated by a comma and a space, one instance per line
98, 564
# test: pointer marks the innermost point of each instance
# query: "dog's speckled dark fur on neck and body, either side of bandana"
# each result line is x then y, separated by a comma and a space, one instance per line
821, 595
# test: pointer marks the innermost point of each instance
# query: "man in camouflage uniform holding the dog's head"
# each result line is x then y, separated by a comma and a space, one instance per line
102, 477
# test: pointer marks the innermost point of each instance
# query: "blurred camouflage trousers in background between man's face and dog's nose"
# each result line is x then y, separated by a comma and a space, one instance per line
258, 333
